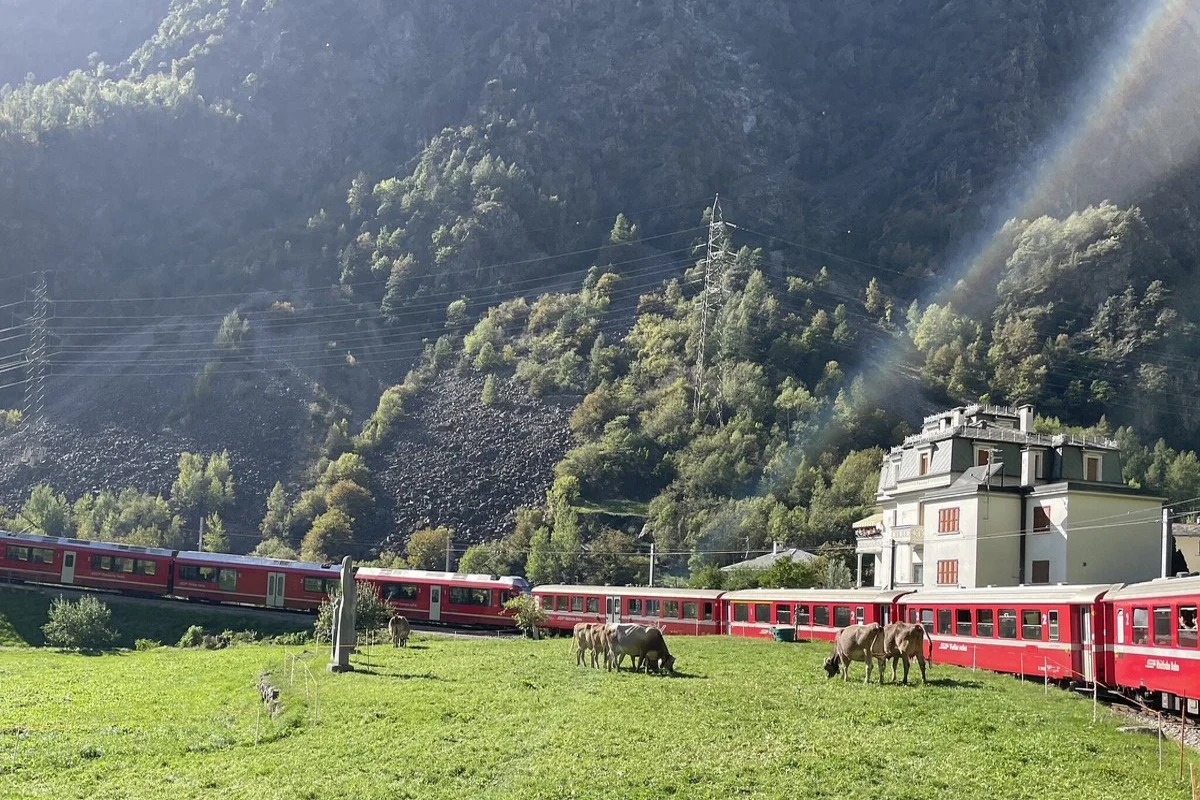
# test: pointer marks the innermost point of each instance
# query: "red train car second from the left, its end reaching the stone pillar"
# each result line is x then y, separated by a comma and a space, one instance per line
251, 581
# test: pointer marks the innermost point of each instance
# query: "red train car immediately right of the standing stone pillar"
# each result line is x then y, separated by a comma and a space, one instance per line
431, 597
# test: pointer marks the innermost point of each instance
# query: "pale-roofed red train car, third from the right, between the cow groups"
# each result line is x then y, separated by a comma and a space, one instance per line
814, 615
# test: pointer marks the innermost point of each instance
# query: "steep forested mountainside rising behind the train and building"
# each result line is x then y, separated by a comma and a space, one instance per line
364, 182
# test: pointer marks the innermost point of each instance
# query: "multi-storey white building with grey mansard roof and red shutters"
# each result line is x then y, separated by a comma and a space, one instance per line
979, 500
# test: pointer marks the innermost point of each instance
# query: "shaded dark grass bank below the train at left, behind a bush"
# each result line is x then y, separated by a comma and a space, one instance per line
23, 613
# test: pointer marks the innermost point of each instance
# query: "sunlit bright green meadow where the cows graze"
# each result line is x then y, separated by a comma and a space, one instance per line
517, 719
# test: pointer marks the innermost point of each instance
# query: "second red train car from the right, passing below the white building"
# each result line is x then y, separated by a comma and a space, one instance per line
1053, 631
